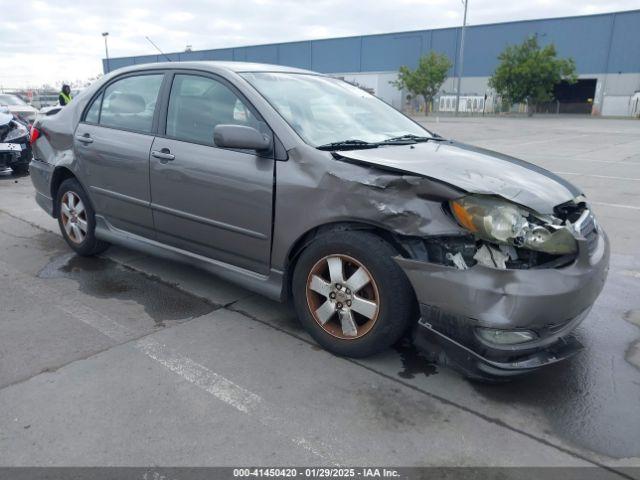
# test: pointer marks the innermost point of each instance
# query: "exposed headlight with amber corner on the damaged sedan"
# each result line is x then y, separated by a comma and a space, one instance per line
499, 221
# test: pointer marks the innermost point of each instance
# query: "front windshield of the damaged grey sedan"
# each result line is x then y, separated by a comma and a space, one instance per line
325, 110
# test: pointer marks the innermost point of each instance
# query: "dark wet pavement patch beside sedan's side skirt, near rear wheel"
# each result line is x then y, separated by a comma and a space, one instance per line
104, 278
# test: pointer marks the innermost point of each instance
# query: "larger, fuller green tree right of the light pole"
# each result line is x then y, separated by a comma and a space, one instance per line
528, 73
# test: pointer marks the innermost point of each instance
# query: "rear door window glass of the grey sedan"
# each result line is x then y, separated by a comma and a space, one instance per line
129, 103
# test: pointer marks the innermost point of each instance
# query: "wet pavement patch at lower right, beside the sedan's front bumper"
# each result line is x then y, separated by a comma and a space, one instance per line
591, 400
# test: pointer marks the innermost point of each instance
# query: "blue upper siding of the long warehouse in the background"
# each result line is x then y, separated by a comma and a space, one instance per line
598, 43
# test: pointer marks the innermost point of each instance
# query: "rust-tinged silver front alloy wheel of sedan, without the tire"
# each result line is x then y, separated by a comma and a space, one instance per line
343, 296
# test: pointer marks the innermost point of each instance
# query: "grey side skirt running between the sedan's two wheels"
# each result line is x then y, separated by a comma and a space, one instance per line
268, 285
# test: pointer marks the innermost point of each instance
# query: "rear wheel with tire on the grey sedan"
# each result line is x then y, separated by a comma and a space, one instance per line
77, 219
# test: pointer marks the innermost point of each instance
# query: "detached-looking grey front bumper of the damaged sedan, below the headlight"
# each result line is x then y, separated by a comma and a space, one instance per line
551, 302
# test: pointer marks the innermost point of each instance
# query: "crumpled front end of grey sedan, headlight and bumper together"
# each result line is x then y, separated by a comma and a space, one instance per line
503, 299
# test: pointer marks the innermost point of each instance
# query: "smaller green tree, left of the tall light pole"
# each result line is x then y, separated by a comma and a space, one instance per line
426, 79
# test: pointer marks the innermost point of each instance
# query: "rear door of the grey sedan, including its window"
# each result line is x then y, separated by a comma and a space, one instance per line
112, 143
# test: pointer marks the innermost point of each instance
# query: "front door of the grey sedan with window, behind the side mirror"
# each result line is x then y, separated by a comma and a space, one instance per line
212, 201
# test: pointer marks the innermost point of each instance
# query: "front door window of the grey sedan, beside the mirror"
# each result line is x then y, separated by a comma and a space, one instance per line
197, 104
